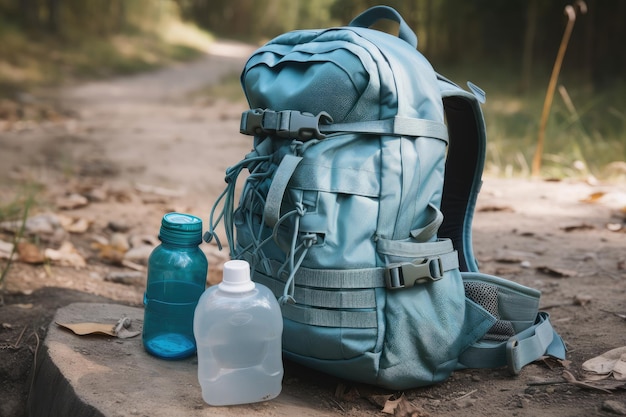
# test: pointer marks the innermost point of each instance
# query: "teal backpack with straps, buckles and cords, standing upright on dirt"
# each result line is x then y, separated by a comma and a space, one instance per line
357, 206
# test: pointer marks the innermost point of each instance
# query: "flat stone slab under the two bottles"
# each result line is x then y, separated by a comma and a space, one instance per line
102, 376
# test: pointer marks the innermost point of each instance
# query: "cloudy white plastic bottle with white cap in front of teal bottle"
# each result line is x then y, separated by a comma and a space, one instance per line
238, 329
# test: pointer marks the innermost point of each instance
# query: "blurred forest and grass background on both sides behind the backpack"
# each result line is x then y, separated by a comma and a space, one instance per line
506, 47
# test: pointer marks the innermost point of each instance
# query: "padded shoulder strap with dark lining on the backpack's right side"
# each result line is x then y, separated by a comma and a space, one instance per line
464, 167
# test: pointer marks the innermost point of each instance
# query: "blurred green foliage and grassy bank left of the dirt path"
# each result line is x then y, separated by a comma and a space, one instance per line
46, 42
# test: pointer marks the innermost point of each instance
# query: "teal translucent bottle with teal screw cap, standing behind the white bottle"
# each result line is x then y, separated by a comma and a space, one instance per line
177, 271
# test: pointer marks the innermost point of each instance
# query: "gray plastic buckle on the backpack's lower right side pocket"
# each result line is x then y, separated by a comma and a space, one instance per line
409, 274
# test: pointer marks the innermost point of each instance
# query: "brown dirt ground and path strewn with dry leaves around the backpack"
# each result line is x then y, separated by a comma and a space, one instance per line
113, 156
